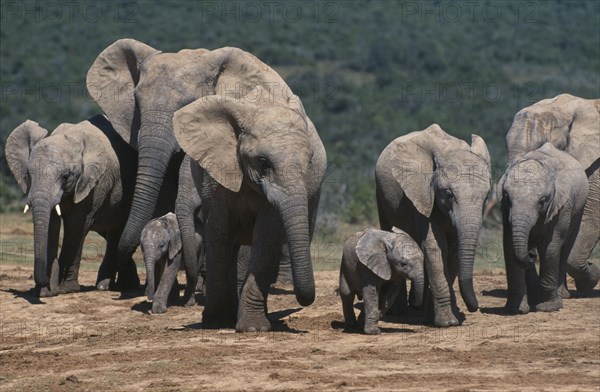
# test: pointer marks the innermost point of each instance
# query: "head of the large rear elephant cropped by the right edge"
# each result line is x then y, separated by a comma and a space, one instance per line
570, 123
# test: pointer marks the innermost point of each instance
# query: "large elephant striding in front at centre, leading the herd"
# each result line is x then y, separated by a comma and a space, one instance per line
261, 165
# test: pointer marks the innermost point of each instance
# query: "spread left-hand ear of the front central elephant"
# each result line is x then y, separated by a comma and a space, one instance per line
207, 131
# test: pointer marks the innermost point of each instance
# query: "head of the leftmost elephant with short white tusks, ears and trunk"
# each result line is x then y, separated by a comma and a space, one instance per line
60, 169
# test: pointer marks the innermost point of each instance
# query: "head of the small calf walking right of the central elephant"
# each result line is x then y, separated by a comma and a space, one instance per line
393, 254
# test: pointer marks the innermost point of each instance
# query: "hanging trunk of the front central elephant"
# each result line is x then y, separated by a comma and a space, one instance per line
294, 214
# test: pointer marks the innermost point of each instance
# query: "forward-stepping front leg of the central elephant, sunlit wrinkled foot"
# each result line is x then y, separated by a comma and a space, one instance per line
267, 238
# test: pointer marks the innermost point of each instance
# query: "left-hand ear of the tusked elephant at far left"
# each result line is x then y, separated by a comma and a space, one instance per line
18, 147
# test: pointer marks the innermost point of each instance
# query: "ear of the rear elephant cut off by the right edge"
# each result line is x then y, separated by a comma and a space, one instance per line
584, 133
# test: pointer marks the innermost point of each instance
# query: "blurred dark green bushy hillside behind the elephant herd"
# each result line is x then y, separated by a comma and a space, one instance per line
367, 71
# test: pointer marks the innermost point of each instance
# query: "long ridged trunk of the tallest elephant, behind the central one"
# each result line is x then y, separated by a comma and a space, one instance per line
155, 152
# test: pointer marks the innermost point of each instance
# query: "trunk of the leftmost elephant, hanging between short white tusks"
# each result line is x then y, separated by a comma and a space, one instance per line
44, 225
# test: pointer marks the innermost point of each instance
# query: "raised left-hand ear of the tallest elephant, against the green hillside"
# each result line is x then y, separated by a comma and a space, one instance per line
111, 82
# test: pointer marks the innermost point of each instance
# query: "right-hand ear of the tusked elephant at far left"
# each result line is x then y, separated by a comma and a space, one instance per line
97, 155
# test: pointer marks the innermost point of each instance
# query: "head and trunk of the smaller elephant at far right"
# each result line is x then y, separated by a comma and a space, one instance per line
536, 187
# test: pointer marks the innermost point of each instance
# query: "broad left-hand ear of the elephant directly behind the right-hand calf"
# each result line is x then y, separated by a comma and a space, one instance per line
413, 165
